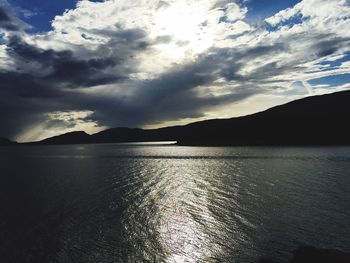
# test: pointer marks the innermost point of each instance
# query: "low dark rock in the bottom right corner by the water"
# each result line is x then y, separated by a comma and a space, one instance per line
316, 255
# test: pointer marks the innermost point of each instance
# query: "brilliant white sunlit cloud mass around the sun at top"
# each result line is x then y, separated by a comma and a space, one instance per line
192, 27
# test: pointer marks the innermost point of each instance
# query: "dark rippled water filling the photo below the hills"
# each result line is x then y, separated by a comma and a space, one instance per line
153, 203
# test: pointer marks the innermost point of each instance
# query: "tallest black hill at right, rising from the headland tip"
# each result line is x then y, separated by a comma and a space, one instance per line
317, 120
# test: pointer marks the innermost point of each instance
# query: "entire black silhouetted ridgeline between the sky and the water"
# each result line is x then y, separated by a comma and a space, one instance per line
316, 120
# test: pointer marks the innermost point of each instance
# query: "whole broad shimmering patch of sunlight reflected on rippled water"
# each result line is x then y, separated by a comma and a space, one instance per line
190, 222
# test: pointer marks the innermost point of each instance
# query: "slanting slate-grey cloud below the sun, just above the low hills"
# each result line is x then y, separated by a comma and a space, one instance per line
169, 96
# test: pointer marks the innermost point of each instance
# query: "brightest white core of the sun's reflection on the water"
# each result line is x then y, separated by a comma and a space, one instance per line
180, 233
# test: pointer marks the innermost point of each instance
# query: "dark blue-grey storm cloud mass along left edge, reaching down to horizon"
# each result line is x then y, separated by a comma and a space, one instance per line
41, 80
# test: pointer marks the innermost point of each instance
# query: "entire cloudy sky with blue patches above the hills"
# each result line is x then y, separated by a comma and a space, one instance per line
89, 65
